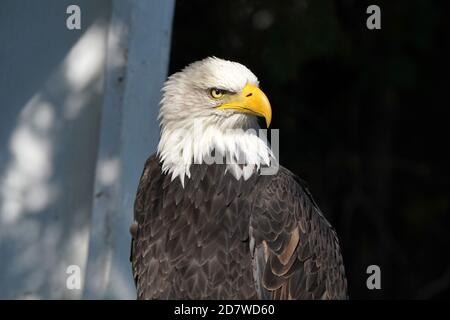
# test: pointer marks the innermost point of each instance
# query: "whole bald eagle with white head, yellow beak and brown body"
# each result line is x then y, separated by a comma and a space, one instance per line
208, 229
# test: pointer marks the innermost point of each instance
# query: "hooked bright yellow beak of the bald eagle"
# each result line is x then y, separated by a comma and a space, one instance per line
251, 100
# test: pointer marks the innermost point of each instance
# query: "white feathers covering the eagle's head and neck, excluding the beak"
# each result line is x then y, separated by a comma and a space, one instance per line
193, 131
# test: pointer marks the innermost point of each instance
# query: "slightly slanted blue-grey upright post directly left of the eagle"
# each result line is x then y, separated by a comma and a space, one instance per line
137, 60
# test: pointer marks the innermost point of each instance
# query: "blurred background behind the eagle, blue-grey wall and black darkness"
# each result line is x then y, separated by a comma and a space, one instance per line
362, 116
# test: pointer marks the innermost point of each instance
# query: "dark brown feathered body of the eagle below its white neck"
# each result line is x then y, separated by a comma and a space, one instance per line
222, 238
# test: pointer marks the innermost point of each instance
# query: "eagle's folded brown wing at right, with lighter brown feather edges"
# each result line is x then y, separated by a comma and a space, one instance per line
295, 250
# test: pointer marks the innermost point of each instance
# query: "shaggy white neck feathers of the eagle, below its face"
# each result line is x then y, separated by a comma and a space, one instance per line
243, 151
